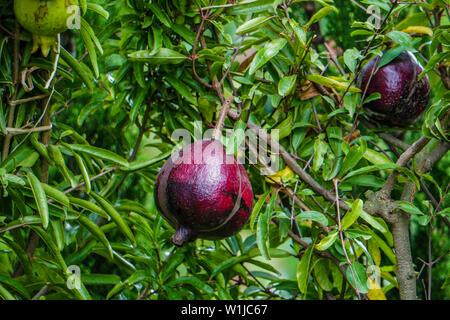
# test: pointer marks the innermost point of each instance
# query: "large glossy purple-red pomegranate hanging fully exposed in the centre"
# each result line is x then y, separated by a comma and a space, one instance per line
203, 193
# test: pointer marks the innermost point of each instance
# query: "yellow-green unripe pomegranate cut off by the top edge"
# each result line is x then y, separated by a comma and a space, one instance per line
45, 19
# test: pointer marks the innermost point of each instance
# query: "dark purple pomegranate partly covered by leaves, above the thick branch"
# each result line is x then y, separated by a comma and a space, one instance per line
403, 97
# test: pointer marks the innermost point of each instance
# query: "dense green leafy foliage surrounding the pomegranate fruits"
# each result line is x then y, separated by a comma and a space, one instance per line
82, 193
